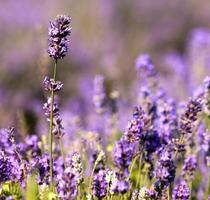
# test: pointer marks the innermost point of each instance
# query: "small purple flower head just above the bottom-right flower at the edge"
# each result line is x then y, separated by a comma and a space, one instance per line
190, 165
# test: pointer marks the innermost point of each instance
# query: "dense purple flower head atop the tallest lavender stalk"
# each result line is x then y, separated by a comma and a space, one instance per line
59, 30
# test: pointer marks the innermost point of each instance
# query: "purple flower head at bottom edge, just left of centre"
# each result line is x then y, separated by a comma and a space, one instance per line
100, 184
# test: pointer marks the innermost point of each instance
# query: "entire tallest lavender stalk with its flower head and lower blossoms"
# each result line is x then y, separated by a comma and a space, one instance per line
59, 30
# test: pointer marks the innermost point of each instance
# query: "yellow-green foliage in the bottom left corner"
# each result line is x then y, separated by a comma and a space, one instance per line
11, 189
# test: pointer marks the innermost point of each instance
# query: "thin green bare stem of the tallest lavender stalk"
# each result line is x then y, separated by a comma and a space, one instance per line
51, 130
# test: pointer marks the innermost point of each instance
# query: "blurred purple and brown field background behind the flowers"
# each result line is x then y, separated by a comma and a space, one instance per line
107, 36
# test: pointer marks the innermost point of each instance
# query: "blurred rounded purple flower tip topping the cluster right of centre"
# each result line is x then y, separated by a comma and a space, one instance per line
144, 65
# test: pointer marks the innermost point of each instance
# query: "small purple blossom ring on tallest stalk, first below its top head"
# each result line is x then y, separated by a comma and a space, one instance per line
51, 84
